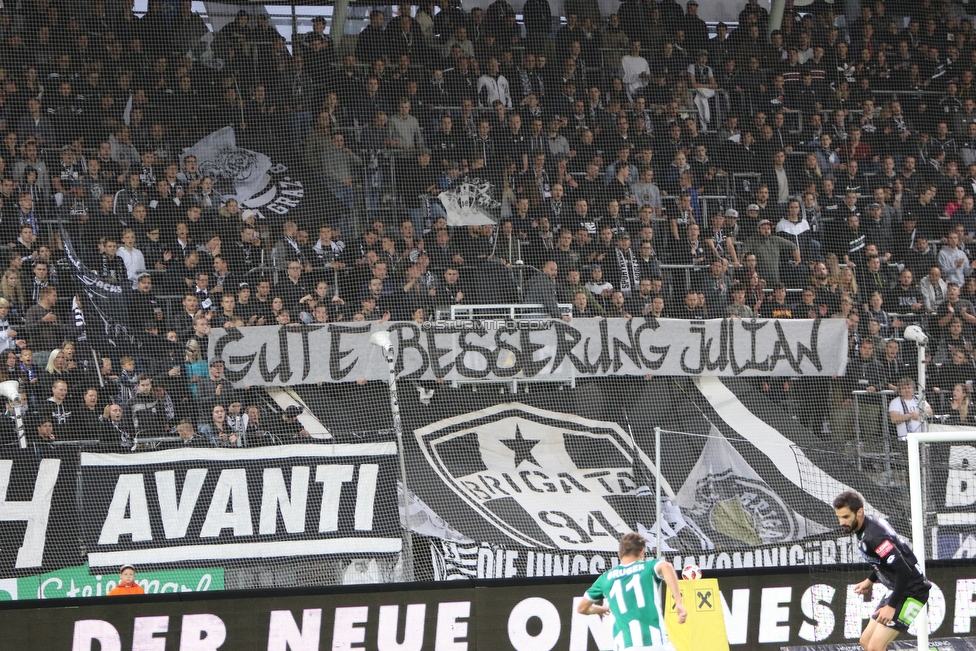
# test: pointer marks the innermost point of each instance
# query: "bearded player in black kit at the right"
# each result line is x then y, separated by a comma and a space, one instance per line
894, 565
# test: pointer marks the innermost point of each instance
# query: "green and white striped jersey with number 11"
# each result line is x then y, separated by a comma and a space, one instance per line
633, 594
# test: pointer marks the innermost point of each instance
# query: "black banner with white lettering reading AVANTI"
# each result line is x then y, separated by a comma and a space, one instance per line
206, 505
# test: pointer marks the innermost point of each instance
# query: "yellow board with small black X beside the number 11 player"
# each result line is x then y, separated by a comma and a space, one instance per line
705, 626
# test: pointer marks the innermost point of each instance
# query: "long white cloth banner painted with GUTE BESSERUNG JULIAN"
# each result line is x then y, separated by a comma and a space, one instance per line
500, 350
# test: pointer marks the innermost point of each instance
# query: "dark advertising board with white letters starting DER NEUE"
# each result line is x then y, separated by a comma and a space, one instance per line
762, 611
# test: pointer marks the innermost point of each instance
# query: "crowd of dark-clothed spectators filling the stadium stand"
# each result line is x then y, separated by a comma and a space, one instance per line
643, 166
